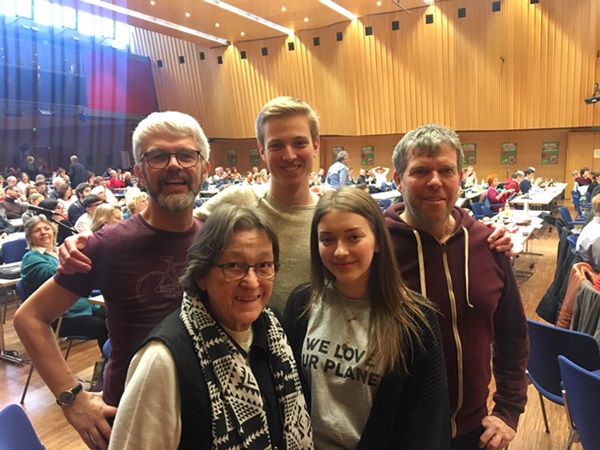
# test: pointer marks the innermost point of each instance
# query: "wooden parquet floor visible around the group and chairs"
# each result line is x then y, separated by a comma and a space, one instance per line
56, 434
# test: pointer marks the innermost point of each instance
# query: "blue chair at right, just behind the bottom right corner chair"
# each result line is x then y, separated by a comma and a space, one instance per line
547, 343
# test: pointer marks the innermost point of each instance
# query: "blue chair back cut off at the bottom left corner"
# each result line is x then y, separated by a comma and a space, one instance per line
16, 431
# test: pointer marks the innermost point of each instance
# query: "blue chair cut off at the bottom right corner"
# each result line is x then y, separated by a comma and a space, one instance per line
581, 393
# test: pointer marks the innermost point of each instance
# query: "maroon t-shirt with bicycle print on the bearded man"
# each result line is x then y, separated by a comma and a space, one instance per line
136, 267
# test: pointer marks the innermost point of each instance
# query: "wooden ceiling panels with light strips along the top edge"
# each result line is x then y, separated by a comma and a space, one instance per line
203, 16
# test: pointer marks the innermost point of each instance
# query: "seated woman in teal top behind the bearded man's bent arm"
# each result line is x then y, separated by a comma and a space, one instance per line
40, 263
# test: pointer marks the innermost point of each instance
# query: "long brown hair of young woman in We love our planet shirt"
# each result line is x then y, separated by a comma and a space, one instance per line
397, 313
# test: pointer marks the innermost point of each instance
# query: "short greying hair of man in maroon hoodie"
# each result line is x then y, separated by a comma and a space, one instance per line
426, 140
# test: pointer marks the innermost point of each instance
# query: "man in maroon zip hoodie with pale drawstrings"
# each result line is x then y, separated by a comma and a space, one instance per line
444, 254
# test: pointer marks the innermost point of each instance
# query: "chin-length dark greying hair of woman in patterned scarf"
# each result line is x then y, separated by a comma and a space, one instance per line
214, 237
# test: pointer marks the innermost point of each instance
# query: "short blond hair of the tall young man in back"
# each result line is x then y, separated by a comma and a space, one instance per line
286, 107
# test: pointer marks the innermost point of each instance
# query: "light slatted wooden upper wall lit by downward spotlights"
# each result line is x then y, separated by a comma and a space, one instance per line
525, 67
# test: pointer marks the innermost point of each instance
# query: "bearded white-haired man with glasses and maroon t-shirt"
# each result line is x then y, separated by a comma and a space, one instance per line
136, 264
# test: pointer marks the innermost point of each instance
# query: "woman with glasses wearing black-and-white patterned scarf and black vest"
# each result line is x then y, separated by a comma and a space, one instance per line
218, 373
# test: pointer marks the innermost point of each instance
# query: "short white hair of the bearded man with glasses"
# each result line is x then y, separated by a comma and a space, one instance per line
173, 123
